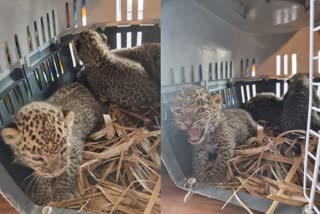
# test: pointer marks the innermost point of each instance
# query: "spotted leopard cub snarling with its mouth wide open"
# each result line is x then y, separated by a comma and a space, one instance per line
210, 130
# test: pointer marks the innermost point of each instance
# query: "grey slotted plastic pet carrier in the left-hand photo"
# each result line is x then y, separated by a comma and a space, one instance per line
37, 57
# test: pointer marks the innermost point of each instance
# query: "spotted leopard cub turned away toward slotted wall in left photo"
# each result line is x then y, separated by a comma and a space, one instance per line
112, 77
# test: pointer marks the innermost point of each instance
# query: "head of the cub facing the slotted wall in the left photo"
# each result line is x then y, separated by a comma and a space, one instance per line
90, 46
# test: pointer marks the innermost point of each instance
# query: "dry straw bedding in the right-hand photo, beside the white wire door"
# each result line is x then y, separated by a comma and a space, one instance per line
272, 168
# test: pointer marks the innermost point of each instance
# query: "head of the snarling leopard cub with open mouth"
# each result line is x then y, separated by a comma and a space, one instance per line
196, 111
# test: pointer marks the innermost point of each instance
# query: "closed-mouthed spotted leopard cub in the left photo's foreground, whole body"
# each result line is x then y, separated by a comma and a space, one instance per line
48, 137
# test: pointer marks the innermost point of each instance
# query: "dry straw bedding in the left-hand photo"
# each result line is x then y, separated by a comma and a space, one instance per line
121, 172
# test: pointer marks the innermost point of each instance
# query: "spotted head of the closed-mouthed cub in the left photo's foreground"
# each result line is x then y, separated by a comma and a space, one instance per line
41, 139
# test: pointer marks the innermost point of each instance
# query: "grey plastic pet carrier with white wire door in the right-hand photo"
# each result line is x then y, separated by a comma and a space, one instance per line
237, 48
